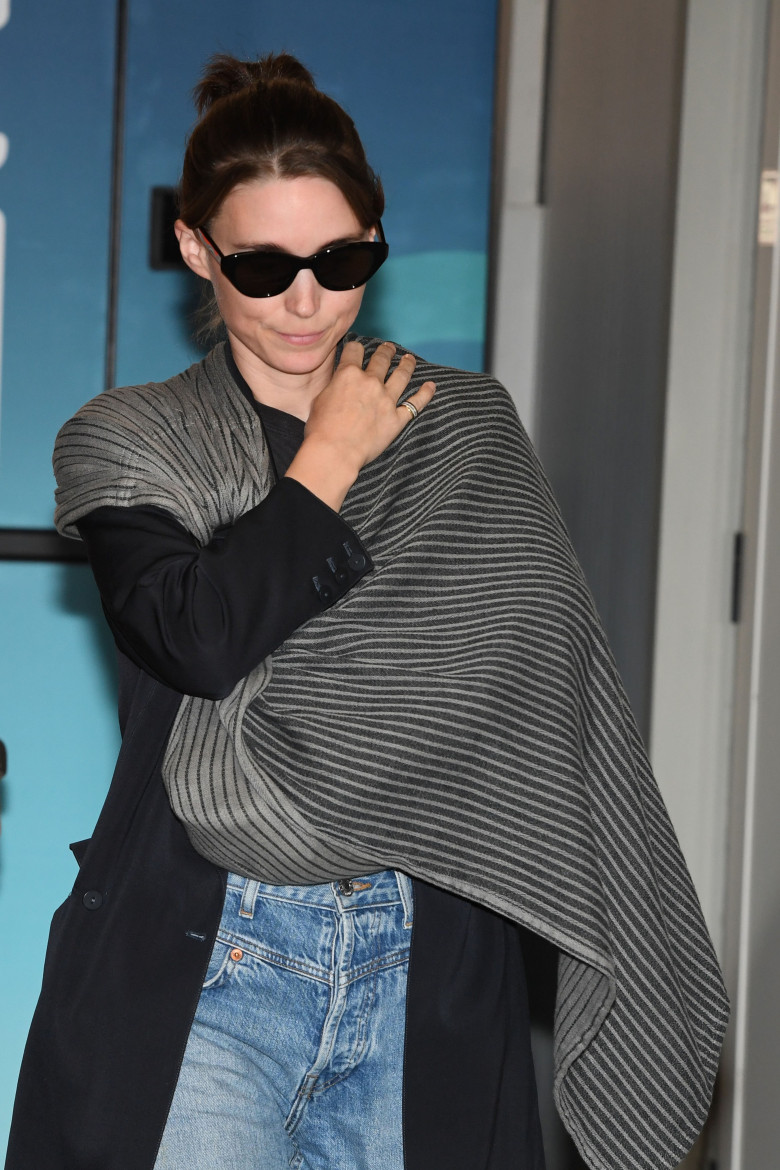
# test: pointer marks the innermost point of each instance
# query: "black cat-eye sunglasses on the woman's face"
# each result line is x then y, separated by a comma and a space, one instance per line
347, 266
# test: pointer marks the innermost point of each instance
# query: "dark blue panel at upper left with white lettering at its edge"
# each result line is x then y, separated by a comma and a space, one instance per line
57, 84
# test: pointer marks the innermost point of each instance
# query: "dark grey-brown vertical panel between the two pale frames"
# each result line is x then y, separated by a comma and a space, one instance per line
612, 134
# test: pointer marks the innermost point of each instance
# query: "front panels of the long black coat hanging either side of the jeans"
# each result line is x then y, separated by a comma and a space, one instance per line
127, 956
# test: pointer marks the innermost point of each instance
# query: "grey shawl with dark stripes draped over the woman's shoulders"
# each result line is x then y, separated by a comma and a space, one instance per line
458, 717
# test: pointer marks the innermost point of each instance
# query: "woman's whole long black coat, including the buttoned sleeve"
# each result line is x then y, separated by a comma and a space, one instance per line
129, 948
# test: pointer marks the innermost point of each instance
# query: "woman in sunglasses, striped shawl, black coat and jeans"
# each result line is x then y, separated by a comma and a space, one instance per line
363, 687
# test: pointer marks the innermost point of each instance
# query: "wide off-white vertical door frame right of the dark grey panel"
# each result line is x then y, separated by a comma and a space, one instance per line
694, 667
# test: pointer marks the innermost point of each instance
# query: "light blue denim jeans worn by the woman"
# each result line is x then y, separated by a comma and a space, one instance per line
296, 1052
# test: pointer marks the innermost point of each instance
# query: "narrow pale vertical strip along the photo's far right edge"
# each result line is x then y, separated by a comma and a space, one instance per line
750, 1131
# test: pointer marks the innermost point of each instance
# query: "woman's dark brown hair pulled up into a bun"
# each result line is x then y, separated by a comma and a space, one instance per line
267, 119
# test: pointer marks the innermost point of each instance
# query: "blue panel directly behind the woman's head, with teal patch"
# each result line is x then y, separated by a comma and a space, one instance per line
418, 81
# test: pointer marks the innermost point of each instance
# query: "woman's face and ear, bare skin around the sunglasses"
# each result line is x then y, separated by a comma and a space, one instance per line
298, 332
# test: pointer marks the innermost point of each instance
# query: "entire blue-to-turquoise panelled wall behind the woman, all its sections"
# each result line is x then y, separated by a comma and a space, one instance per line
418, 80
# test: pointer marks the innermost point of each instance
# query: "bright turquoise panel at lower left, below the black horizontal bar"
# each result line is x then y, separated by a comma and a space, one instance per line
59, 722
